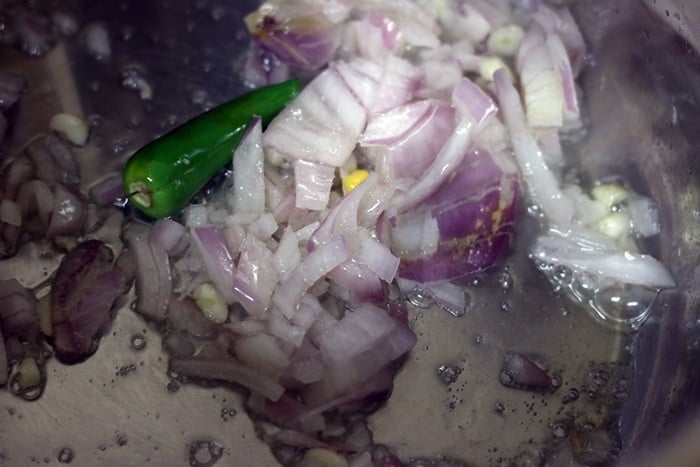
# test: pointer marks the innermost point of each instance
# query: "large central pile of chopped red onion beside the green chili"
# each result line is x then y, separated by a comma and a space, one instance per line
398, 168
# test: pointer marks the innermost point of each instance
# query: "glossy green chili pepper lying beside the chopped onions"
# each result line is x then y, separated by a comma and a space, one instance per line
162, 177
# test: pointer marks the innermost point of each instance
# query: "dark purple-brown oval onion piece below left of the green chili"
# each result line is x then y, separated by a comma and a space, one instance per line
86, 285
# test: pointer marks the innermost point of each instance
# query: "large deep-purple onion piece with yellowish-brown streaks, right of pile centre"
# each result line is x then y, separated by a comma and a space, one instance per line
475, 213
